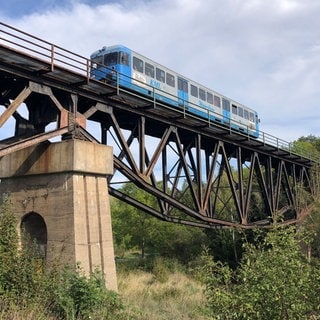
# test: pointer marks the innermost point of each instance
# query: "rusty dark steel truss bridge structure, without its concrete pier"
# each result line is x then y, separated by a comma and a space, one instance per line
191, 171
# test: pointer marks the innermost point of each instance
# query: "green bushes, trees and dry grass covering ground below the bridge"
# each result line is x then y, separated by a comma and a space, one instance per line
168, 271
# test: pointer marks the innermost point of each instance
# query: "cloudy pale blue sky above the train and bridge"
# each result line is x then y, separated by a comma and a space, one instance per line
263, 54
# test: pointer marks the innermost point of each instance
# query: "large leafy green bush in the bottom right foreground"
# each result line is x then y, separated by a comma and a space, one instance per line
274, 281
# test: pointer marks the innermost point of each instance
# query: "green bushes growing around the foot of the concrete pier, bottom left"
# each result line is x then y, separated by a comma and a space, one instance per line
27, 284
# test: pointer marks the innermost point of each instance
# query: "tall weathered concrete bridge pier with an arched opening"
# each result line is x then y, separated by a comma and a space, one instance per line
66, 184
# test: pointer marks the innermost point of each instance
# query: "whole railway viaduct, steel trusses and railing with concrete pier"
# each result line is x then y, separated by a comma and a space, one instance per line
68, 141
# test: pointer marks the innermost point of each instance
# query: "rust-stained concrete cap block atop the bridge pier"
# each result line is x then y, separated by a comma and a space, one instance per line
66, 156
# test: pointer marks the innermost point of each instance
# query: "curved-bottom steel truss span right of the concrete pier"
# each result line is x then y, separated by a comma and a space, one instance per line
204, 181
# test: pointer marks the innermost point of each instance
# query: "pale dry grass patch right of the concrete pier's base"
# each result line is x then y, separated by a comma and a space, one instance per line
179, 298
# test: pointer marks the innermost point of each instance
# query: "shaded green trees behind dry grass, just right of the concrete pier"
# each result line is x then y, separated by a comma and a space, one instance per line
133, 229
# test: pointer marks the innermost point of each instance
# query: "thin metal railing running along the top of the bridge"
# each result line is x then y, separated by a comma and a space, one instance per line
56, 56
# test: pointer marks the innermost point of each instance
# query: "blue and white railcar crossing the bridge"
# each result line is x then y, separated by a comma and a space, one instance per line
119, 64
